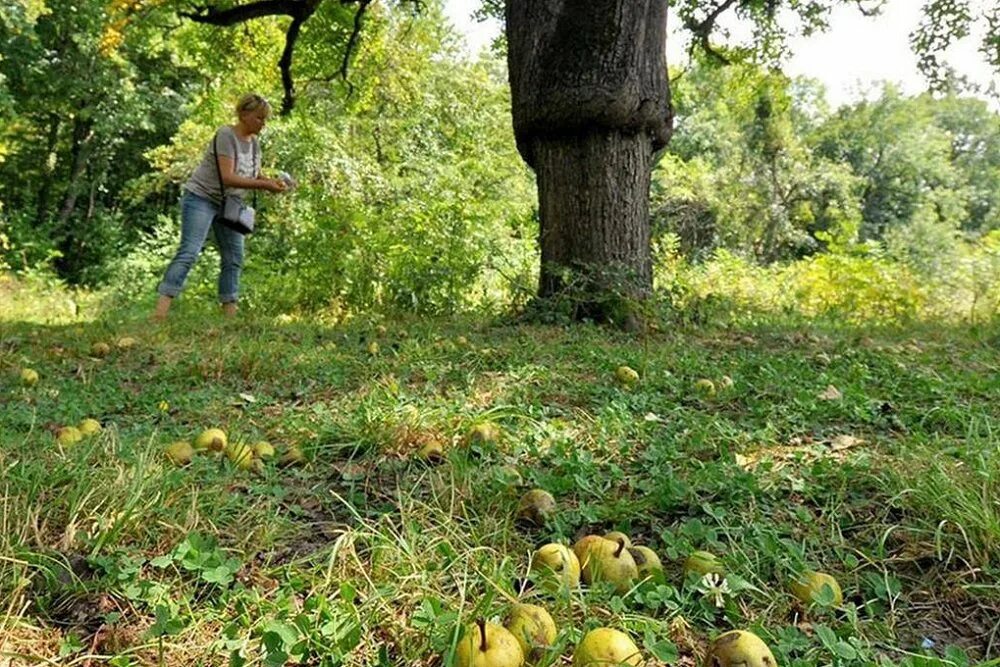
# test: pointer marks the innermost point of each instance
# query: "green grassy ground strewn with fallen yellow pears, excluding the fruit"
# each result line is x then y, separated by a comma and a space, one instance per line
110, 554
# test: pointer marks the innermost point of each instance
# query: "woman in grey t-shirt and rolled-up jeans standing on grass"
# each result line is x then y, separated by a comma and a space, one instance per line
239, 165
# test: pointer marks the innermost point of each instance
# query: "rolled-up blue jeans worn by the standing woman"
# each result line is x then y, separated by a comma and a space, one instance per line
197, 215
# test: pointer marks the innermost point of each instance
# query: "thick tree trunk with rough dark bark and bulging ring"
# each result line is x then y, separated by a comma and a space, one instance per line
591, 106
